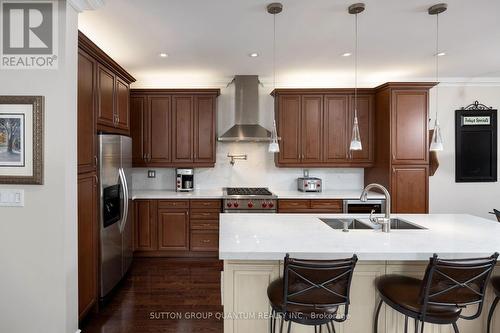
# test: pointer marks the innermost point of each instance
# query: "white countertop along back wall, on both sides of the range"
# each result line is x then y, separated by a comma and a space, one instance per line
217, 194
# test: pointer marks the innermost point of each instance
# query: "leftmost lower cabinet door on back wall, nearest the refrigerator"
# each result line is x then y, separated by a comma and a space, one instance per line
145, 225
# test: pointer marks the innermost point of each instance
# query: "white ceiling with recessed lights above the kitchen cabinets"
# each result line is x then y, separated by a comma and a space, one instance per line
208, 41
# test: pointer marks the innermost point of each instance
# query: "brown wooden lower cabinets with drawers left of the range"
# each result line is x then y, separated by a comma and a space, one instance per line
177, 228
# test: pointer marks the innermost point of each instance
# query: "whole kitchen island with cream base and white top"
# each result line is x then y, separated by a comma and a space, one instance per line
254, 245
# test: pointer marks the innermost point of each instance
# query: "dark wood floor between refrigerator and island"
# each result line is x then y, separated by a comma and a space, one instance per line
162, 295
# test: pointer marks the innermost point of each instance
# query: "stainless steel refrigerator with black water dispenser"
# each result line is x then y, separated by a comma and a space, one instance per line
115, 163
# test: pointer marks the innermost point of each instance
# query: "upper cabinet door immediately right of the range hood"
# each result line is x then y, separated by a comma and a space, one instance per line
289, 128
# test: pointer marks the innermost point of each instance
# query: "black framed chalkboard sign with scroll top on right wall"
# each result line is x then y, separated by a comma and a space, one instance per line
476, 144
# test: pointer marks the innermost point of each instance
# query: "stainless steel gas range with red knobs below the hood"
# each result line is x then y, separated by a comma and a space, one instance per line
249, 200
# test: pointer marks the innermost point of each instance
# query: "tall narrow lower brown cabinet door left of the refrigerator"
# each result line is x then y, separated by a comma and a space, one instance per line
87, 243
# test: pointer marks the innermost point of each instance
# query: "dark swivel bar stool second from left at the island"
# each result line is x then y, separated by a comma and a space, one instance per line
448, 287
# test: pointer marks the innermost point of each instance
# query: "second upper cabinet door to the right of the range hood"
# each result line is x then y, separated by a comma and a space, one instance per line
311, 123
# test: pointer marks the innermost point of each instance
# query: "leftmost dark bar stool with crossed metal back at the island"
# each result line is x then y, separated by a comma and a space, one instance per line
311, 292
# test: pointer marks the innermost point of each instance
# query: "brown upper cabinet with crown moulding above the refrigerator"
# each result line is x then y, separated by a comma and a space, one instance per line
111, 90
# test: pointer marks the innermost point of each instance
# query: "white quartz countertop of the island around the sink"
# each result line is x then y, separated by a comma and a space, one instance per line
271, 236
